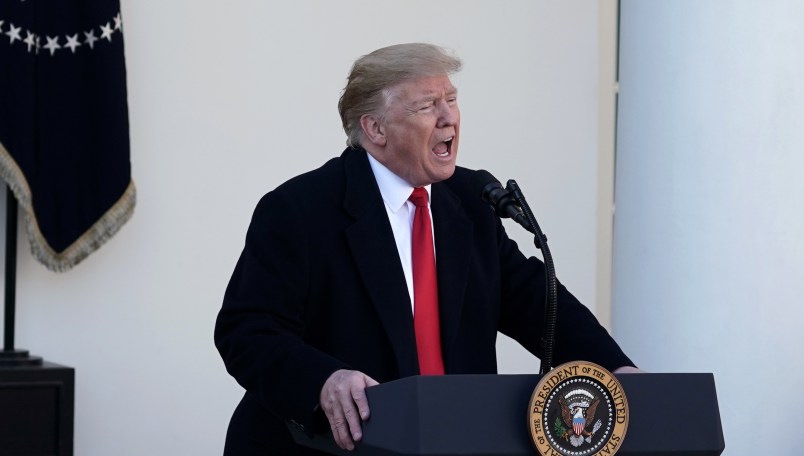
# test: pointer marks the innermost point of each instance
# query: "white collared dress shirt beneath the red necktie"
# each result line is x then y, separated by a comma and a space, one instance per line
395, 192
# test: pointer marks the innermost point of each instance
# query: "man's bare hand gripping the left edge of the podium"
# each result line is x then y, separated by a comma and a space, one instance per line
343, 398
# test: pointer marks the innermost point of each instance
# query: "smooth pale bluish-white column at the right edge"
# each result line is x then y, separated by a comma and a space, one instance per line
708, 244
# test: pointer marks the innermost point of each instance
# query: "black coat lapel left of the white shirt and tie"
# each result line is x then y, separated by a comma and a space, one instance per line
371, 241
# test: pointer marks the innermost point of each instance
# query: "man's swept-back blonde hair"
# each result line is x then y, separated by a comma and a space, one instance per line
373, 74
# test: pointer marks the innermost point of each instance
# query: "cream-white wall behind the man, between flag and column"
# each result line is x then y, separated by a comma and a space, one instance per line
227, 100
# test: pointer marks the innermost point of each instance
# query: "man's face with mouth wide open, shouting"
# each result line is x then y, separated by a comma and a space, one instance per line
417, 136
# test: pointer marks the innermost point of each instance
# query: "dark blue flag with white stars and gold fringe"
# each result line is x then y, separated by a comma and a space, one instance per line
64, 145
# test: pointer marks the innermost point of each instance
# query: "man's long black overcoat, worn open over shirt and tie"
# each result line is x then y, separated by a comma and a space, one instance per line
319, 286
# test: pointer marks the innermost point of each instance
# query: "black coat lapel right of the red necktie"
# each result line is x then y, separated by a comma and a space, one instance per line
453, 239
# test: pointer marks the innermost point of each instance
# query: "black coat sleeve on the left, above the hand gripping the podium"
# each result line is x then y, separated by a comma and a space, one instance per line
261, 325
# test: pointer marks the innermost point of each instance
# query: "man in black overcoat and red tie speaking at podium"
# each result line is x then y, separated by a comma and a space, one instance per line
381, 264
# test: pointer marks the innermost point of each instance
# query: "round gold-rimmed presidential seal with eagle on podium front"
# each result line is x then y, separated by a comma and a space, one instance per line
578, 409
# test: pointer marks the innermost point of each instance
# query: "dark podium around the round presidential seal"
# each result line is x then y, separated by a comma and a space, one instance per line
670, 415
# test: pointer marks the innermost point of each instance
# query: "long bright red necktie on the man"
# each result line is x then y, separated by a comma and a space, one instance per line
425, 289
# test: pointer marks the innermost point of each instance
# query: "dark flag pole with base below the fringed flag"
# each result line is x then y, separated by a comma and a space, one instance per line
10, 356
